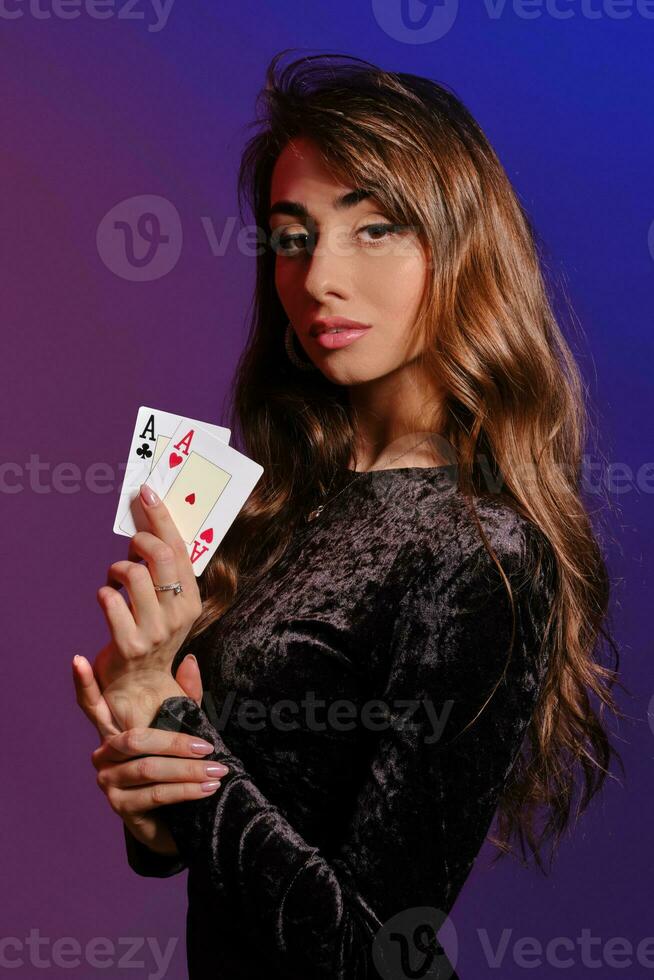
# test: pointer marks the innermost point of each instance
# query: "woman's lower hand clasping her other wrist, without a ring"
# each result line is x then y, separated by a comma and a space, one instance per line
145, 825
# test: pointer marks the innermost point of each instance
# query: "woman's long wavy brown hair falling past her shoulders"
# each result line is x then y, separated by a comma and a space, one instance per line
513, 403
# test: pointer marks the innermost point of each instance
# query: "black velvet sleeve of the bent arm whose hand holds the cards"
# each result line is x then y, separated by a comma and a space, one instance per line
429, 792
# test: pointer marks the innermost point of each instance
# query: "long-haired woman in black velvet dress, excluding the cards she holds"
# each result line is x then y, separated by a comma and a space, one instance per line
415, 561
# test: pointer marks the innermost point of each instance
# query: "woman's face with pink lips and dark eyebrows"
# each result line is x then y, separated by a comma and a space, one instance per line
329, 262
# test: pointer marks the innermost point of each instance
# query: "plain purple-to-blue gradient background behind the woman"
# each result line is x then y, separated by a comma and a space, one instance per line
94, 112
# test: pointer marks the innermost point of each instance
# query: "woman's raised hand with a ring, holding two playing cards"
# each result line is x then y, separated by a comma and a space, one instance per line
133, 669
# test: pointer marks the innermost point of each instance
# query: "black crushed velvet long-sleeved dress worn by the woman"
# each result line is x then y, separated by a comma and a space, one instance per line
358, 794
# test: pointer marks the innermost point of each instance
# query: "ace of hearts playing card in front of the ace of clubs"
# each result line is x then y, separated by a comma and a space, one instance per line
204, 483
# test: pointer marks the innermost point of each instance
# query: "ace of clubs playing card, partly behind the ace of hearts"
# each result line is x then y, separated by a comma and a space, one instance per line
152, 433
